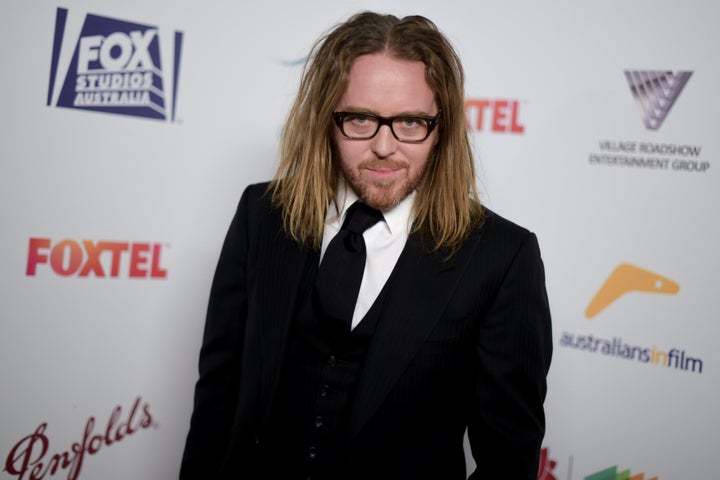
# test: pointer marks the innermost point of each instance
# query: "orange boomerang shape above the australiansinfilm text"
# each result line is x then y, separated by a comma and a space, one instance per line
629, 278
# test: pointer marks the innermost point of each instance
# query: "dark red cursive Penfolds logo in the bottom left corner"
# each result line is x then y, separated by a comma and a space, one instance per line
31, 457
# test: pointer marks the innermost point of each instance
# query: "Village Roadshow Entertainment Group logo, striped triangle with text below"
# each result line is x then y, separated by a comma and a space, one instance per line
655, 92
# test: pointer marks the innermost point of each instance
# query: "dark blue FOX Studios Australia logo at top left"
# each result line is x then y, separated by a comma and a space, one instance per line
115, 68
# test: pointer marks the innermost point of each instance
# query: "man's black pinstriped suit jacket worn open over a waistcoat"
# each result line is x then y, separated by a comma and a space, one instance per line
461, 343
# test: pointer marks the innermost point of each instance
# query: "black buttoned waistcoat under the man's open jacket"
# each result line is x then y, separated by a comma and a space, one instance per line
306, 435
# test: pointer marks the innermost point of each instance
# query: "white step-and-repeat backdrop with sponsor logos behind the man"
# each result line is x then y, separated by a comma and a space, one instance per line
129, 129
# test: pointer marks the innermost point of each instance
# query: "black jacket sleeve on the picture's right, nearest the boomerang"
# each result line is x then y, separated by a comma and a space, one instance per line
513, 348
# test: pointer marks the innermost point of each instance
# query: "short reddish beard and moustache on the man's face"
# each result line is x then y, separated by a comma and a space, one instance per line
382, 194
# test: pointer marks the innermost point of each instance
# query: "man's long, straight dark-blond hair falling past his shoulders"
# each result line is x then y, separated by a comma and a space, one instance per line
447, 206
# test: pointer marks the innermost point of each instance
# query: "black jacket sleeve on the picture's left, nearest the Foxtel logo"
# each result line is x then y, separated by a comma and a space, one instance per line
218, 386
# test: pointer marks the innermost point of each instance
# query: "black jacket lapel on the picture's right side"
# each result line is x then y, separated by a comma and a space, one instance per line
418, 291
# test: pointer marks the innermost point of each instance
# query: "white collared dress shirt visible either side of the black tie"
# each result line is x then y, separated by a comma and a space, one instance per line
384, 242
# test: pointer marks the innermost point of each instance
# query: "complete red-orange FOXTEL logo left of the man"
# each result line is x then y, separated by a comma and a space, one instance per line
98, 259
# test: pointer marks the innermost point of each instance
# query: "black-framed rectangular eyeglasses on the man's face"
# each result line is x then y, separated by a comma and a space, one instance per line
405, 128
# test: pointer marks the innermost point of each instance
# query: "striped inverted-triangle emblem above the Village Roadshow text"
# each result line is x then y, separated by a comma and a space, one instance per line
655, 91
